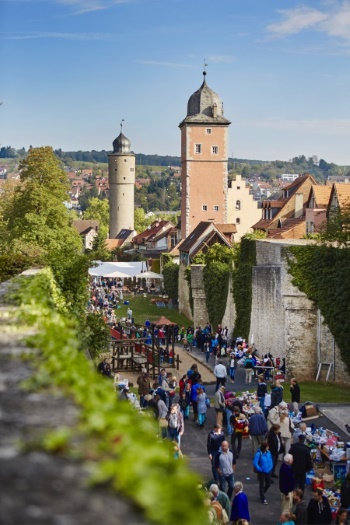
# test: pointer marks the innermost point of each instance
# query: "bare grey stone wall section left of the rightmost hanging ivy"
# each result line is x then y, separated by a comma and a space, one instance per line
284, 321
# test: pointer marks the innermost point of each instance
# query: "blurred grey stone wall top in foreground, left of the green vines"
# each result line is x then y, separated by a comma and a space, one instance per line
39, 487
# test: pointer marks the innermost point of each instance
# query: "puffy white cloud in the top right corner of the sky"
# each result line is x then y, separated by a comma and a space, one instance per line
333, 20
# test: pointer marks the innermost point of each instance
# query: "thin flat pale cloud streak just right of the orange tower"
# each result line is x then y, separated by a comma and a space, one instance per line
315, 126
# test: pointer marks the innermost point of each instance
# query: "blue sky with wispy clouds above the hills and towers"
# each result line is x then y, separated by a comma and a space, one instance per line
72, 69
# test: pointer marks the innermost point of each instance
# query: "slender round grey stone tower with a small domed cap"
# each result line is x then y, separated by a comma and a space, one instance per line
121, 176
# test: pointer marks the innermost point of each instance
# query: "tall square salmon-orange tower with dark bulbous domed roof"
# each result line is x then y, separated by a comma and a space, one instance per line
204, 146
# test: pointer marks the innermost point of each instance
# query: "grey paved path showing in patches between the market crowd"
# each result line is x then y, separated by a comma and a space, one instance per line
194, 447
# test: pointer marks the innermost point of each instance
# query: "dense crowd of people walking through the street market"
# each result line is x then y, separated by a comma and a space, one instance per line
266, 417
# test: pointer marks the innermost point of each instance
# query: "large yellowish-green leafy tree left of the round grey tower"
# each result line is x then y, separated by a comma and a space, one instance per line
37, 221
